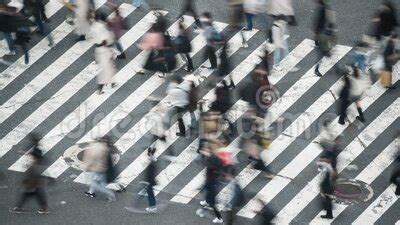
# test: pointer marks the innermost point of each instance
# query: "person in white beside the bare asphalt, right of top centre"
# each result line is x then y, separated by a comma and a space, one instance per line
279, 30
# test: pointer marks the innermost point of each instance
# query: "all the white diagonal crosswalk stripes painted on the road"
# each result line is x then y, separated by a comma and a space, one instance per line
68, 128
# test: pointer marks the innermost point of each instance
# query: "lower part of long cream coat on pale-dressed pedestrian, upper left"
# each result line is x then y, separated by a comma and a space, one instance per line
104, 58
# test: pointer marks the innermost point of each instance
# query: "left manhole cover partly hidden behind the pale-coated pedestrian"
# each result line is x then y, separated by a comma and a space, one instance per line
73, 156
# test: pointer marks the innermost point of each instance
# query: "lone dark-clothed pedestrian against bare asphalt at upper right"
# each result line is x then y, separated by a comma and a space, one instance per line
324, 30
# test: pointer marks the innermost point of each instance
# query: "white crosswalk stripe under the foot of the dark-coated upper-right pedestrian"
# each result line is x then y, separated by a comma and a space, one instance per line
303, 84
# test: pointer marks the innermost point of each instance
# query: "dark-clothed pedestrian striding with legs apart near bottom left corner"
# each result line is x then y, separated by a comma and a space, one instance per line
34, 184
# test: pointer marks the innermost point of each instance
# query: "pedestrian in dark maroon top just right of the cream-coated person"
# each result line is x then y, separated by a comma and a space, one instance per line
117, 25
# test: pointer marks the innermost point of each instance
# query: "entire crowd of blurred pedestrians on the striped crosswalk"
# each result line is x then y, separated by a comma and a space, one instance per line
375, 54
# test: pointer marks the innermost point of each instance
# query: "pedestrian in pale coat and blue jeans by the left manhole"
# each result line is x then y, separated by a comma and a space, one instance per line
97, 162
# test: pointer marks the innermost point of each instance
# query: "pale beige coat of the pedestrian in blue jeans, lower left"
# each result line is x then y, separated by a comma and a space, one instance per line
95, 157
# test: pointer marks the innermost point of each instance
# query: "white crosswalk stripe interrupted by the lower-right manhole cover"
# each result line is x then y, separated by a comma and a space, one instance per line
368, 175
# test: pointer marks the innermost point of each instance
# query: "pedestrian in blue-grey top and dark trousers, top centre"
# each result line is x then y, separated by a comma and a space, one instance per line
213, 37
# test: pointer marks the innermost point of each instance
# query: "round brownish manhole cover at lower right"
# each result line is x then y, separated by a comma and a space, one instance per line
350, 191
